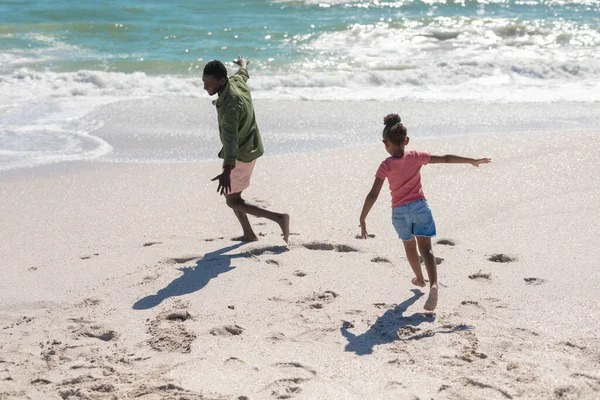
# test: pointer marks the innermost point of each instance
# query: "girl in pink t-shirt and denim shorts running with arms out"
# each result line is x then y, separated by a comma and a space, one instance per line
411, 215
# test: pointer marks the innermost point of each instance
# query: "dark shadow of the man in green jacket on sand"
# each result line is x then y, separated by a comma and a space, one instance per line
194, 278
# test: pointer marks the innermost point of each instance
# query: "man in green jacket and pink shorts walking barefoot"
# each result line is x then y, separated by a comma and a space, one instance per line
241, 141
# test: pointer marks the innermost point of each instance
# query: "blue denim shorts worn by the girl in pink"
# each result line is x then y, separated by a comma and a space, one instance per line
413, 219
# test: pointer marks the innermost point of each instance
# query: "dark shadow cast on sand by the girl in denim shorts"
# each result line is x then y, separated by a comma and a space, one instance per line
385, 329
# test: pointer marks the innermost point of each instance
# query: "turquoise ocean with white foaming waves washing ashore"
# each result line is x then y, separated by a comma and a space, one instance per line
60, 60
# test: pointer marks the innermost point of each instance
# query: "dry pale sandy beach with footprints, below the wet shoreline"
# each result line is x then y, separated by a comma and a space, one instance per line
120, 280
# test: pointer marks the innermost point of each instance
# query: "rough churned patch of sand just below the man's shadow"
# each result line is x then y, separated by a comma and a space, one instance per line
168, 332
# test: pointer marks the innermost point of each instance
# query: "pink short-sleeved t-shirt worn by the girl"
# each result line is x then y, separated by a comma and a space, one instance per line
404, 176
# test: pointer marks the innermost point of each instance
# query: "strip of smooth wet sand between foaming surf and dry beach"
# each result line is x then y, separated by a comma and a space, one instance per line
175, 129
